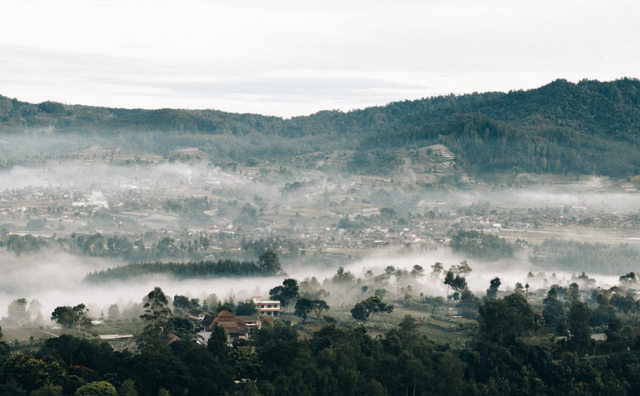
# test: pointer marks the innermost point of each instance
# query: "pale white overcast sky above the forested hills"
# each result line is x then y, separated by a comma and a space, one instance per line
290, 58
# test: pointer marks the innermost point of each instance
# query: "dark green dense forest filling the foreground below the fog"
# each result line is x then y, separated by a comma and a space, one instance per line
503, 358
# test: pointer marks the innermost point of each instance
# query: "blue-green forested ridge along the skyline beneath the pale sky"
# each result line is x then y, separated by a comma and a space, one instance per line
588, 127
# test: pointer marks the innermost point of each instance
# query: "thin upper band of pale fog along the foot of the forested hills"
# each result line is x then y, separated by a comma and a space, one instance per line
589, 193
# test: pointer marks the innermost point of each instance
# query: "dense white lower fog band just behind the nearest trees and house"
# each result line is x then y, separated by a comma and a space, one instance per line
56, 279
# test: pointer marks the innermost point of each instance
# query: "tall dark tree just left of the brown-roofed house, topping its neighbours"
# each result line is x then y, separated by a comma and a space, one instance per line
157, 317
